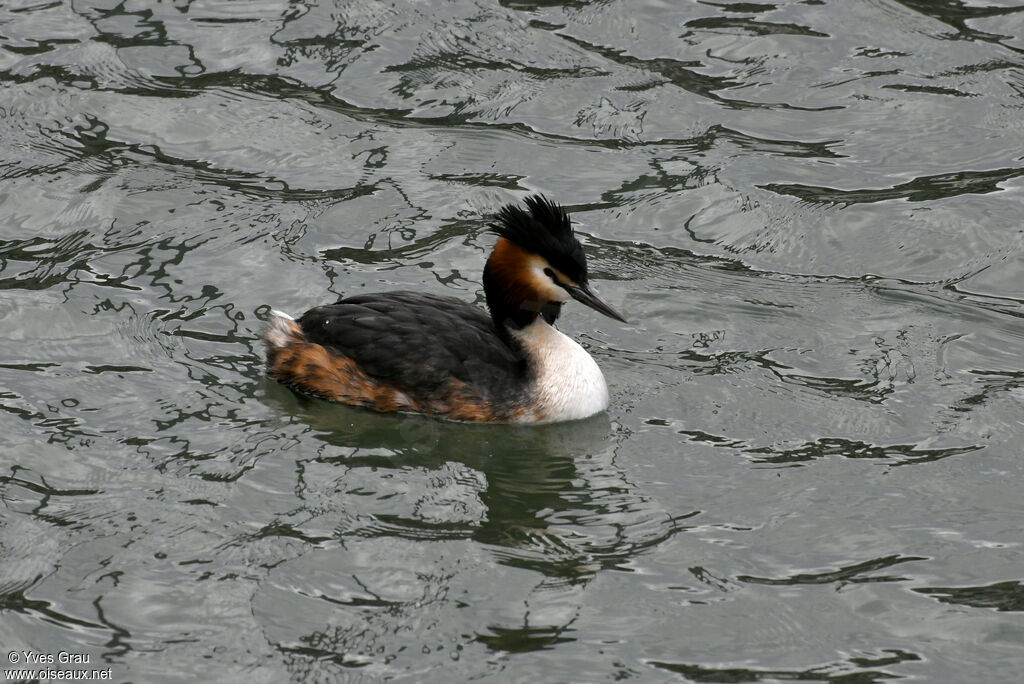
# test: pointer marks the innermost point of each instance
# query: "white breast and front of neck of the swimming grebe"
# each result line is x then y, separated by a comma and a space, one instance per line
569, 384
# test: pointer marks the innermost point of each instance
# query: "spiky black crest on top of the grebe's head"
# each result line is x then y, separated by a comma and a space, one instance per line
544, 229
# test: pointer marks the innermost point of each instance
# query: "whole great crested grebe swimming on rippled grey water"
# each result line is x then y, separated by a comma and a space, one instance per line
441, 357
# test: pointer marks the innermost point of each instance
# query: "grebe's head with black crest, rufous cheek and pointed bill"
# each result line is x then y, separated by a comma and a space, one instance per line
538, 264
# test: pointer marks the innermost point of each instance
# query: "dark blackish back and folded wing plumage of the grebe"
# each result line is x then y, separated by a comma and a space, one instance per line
418, 343
